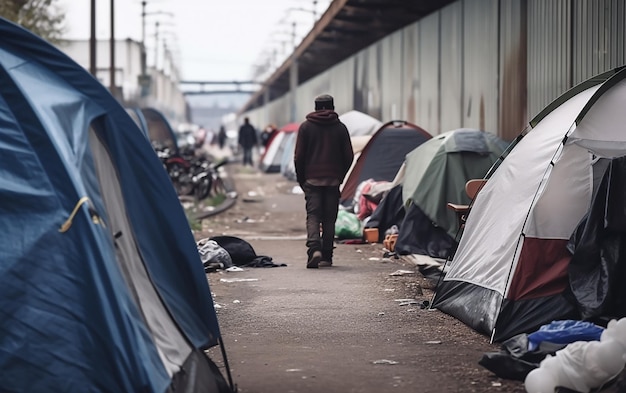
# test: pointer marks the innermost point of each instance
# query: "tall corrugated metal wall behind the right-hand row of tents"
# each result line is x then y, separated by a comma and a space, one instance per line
488, 64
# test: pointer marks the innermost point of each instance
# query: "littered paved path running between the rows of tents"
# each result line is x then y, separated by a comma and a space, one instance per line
355, 327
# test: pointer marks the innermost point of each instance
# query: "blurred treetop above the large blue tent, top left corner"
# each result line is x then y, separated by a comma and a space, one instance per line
38, 16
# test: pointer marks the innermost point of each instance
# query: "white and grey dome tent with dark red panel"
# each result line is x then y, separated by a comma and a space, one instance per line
510, 271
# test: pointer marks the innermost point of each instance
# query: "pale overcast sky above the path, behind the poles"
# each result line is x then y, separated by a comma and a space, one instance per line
213, 39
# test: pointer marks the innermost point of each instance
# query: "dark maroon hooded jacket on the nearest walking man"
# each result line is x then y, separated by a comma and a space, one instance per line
323, 147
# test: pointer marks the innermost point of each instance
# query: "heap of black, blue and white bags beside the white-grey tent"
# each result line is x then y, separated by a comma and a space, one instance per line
576, 355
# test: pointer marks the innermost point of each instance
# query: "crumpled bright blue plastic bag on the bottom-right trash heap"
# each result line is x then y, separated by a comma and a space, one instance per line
565, 332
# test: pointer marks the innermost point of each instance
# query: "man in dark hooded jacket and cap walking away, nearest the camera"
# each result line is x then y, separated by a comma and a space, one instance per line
322, 158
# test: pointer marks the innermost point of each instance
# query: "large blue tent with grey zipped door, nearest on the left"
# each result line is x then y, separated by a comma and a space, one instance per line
101, 284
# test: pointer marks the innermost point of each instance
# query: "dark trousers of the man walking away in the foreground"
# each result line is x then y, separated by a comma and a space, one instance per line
322, 204
